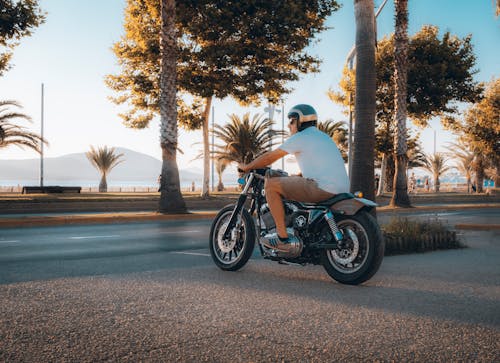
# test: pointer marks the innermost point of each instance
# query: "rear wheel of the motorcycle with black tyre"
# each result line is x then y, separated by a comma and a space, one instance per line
361, 253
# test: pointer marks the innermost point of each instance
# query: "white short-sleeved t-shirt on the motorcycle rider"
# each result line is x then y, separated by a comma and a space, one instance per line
319, 159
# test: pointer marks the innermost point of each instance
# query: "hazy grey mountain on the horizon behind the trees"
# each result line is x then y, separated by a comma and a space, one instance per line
73, 168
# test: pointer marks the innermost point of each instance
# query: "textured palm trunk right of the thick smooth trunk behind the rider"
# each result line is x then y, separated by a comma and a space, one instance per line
400, 184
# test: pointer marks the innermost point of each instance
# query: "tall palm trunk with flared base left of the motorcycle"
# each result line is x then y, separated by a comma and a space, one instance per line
171, 200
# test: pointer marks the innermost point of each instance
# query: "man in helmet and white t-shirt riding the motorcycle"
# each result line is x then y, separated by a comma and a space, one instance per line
321, 165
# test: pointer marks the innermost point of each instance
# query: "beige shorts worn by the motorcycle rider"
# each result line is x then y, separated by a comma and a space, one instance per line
299, 189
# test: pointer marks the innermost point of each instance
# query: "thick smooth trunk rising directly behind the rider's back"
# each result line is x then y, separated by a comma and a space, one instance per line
363, 175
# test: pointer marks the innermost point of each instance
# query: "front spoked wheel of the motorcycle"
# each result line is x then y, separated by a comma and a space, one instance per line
232, 253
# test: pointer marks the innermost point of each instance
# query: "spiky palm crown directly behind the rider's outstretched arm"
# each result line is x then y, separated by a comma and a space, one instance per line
244, 139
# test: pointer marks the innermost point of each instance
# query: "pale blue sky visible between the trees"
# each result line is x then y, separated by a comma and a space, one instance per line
71, 54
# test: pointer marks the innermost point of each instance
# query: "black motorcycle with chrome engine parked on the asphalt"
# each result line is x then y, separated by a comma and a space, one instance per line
338, 233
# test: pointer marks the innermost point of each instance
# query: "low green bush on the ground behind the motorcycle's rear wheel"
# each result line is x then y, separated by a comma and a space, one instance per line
408, 236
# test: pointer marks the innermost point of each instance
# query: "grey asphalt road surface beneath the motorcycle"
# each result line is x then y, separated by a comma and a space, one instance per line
149, 291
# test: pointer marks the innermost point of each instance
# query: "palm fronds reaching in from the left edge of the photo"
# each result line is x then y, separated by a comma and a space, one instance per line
13, 134
